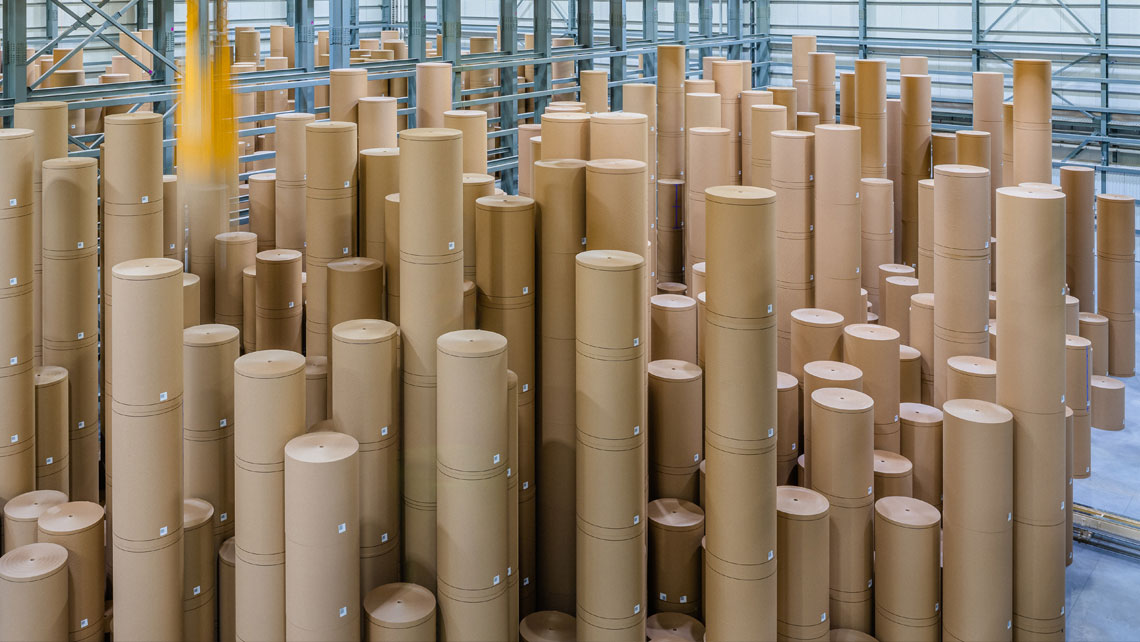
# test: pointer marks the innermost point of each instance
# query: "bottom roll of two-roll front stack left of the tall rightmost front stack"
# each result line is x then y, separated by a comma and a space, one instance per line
974, 559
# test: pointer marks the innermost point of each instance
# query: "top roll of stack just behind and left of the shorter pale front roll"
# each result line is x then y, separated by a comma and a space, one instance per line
270, 404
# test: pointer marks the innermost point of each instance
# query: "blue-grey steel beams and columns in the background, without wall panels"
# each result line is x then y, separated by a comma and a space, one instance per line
1079, 128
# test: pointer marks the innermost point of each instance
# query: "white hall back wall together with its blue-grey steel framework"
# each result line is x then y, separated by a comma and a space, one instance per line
1097, 120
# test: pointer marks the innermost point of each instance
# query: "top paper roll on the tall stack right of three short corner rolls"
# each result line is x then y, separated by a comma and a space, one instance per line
148, 334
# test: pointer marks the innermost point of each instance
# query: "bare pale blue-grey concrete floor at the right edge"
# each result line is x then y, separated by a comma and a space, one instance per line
1102, 587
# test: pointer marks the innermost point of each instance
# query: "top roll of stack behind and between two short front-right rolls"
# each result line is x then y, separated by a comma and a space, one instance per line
842, 435
